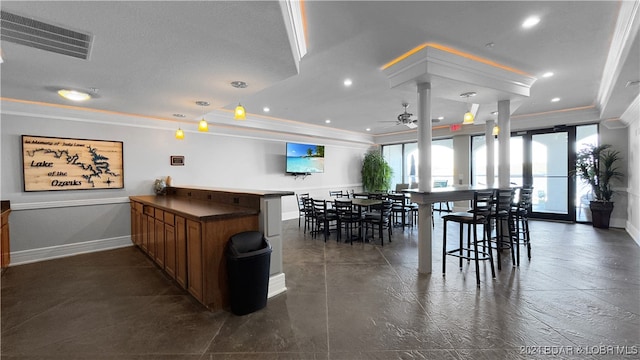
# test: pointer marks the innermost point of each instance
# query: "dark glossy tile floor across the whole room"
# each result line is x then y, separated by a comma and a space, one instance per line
577, 298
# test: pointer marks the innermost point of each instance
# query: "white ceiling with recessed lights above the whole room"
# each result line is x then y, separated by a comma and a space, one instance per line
157, 59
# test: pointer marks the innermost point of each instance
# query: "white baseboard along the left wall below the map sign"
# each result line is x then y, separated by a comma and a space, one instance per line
60, 251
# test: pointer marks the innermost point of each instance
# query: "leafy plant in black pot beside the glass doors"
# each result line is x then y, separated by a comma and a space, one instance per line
598, 167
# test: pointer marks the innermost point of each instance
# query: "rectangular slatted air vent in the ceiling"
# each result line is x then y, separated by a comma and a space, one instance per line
37, 34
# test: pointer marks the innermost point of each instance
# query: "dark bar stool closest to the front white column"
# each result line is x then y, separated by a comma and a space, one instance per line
479, 215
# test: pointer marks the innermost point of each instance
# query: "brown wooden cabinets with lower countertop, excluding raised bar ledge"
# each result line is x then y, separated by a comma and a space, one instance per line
190, 247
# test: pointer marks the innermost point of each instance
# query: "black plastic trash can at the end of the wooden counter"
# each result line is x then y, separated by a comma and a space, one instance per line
248, 259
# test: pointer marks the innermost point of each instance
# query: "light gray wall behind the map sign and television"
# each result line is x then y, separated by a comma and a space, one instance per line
43, 222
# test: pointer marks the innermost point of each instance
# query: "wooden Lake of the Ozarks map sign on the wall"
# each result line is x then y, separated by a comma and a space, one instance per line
71, 164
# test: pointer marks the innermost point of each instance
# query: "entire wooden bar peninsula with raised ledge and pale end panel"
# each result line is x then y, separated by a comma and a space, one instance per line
186, 230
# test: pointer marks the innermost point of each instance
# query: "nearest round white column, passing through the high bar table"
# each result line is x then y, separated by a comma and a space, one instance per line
424, 173
